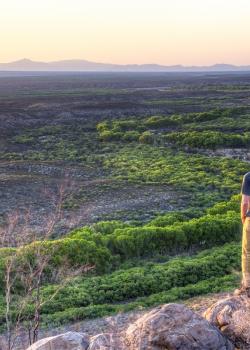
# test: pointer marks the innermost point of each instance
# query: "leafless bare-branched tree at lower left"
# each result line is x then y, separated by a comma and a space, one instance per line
29, 271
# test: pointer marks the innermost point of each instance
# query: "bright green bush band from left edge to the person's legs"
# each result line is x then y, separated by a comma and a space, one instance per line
108, 244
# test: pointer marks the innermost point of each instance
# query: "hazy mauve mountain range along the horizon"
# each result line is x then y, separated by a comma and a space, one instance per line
87, 66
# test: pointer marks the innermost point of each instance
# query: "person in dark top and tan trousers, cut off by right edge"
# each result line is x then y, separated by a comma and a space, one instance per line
245, 218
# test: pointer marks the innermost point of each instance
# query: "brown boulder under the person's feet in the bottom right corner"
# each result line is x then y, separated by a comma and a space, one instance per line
232, 316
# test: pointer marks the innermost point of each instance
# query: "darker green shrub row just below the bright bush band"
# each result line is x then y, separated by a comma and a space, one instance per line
144, 281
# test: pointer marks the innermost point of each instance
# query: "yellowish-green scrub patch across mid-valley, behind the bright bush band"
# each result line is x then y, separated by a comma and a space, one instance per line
149, 151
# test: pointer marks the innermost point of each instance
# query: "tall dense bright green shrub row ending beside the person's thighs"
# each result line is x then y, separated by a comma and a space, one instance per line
204, 232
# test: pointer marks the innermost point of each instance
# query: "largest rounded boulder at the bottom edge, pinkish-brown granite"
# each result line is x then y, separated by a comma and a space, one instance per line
175, 327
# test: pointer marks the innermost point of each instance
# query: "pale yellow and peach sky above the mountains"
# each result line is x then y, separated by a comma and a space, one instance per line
189, 32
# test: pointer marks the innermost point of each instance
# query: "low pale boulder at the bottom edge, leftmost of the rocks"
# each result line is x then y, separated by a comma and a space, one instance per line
66, 341
